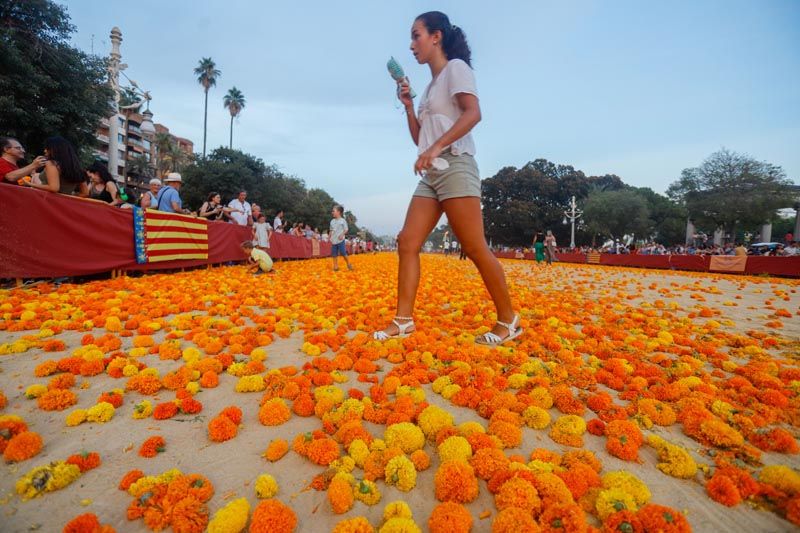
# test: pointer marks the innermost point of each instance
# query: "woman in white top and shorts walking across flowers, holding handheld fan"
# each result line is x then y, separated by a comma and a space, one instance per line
448, 110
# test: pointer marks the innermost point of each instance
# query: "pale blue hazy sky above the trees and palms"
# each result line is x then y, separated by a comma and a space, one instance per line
638, 89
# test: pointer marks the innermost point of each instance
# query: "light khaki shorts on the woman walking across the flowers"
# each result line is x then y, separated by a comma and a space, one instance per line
459, 180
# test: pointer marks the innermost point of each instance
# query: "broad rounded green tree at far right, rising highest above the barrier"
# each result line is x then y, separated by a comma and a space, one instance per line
730, 189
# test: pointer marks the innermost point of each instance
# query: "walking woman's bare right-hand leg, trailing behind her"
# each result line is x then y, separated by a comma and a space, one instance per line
466, 219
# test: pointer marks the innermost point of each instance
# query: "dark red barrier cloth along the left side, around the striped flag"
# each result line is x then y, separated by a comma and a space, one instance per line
45, 235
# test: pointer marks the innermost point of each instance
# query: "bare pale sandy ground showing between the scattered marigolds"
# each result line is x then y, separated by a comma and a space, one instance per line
233, 466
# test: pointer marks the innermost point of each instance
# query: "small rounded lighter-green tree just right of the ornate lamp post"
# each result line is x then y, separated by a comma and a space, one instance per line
616, 213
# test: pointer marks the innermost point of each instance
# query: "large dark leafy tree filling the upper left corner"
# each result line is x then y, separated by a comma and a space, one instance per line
47, 87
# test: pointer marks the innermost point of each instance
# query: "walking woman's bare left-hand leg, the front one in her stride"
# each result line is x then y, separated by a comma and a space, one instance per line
422, 215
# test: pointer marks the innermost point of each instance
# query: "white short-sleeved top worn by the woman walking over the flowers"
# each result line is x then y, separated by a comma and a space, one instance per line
438, 107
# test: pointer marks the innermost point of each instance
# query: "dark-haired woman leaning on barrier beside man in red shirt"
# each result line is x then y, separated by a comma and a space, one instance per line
62, 170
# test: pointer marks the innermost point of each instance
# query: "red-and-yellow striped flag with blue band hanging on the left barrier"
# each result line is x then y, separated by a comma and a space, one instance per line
161, 236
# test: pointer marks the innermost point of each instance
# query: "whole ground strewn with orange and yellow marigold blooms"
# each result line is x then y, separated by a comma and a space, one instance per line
637, 400
